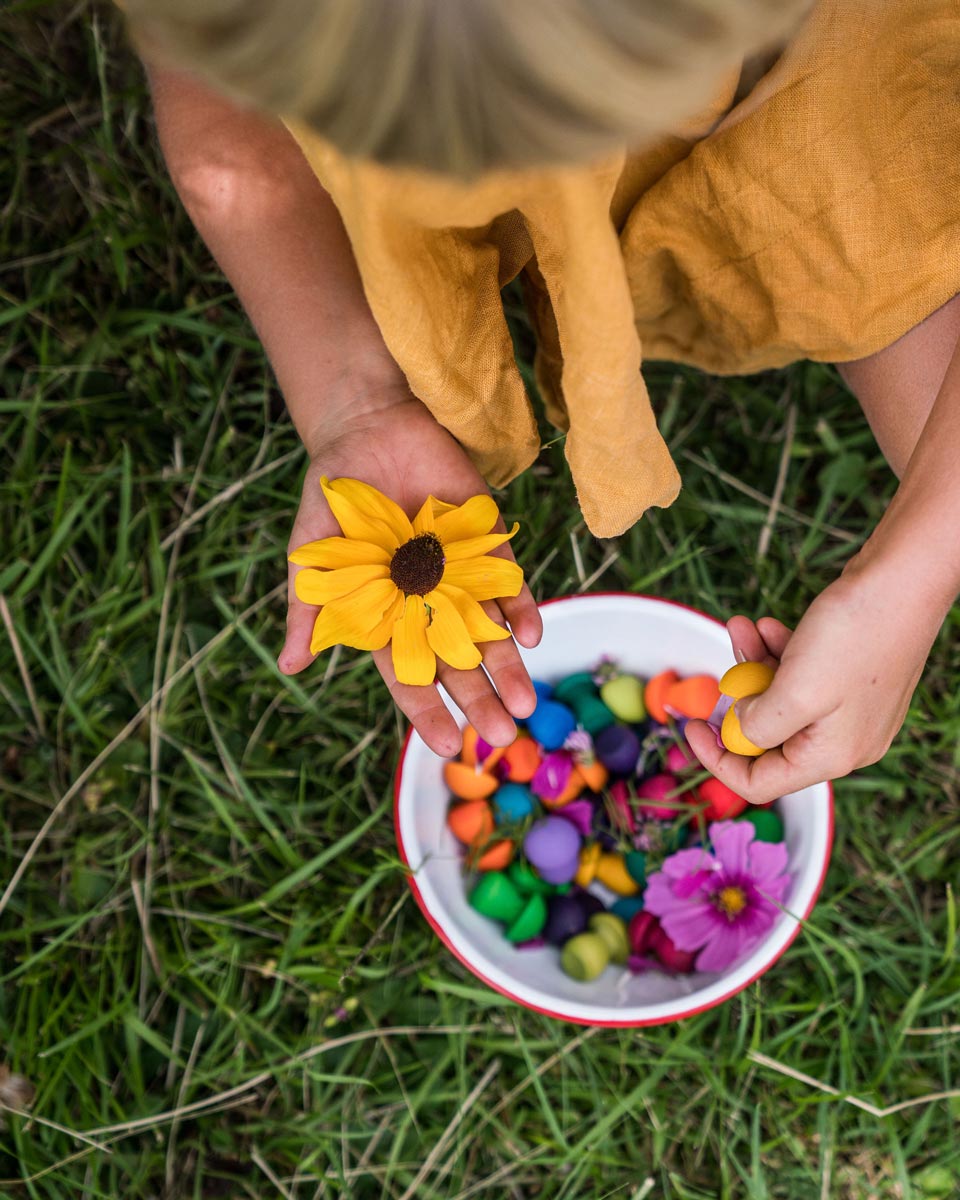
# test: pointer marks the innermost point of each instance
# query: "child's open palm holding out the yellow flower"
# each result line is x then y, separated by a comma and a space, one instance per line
400, 449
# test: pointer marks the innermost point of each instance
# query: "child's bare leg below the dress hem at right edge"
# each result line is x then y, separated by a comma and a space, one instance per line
897, 387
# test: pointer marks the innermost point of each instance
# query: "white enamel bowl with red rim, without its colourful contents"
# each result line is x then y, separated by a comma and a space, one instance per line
645, 635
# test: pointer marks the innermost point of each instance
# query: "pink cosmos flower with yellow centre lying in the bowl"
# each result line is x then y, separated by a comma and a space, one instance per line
723, 903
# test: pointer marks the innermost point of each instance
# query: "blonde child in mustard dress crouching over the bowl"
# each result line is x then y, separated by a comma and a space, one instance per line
817, 218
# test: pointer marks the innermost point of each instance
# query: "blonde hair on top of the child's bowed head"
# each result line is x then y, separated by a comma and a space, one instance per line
463, 87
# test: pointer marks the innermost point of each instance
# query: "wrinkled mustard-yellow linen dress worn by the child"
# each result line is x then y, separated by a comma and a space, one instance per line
819, 219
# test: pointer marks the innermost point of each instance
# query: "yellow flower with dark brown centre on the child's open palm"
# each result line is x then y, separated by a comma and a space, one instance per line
416, 583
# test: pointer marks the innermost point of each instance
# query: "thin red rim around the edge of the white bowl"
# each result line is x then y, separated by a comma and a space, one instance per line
583, 1021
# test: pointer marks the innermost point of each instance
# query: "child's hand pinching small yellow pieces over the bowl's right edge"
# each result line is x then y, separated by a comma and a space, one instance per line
843, 687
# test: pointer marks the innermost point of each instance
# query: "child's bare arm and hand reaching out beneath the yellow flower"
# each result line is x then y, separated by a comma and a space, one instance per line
279, 239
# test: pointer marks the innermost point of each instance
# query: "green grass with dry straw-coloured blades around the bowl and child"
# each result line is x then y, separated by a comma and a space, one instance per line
212, 969
